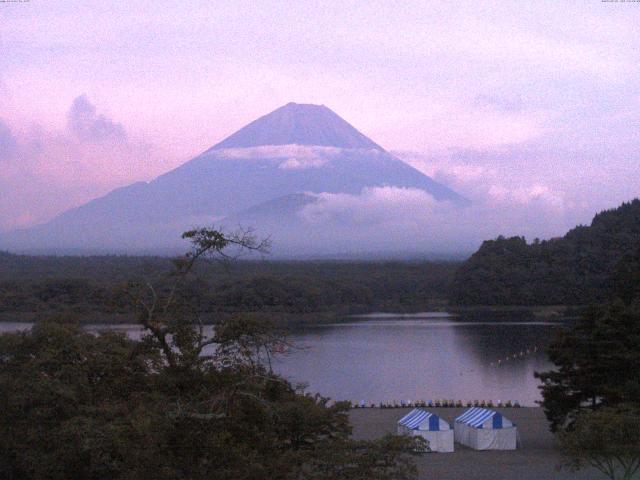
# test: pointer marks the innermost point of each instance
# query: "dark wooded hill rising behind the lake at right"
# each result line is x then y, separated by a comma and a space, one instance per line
575, 269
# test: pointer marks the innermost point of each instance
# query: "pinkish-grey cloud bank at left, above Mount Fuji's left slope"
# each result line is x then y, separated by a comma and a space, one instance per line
46, 171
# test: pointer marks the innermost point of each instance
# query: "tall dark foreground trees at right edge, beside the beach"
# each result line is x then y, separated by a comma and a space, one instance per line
592, 397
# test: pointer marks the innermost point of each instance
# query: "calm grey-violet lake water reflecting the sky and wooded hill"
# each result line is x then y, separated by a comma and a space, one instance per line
413, 357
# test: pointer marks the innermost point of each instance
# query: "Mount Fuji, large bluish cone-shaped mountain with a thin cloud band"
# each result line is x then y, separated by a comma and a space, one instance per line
267, 172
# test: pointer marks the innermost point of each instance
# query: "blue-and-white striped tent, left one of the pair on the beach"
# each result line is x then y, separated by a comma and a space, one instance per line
436, 431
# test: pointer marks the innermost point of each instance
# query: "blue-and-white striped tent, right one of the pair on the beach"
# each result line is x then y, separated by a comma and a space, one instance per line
484, 429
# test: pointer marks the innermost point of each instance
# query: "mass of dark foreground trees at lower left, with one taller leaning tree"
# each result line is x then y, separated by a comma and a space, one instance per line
177, 404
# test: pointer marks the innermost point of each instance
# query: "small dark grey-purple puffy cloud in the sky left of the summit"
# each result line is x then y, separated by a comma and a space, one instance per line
84, 122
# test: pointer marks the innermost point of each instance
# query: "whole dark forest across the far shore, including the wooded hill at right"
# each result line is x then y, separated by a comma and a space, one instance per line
572, 270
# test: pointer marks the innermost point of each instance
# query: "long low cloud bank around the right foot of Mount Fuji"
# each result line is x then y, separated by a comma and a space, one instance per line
407, 221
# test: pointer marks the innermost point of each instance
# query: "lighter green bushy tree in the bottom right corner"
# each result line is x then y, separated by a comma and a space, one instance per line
607, 439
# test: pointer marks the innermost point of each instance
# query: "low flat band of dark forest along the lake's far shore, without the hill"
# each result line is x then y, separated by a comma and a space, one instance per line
287, 291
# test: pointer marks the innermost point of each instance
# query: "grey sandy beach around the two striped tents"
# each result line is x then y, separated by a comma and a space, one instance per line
536, 459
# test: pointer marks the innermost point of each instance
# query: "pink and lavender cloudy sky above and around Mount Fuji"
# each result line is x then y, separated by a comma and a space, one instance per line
514, 102
